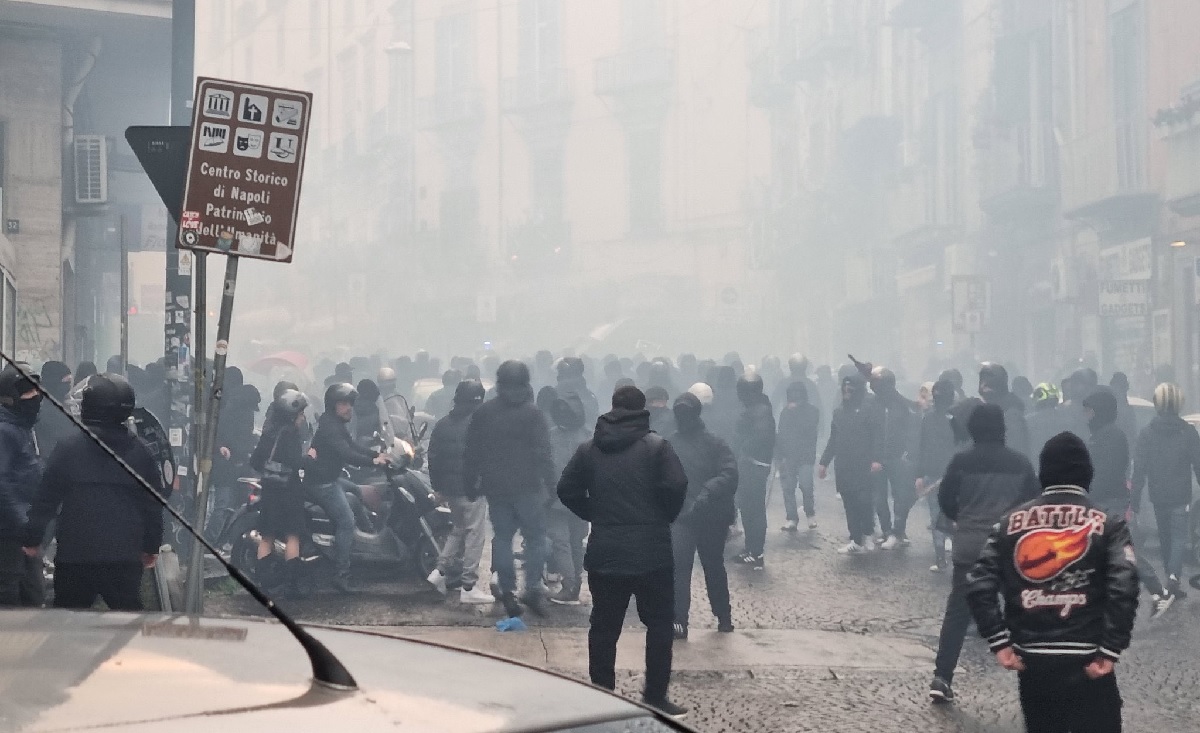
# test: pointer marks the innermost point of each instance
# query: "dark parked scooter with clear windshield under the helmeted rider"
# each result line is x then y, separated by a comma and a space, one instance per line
398, 520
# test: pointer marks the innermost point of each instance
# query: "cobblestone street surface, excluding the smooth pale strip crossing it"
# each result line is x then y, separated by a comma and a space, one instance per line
807, 586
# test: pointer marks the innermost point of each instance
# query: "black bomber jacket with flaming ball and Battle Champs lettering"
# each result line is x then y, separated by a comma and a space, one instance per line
1067, 574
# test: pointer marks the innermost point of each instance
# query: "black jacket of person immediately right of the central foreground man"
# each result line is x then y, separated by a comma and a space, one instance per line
712, 474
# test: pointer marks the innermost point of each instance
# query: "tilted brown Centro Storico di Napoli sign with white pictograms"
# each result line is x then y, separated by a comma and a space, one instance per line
244, 170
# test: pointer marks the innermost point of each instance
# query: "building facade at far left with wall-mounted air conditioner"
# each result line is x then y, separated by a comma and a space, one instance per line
74, 76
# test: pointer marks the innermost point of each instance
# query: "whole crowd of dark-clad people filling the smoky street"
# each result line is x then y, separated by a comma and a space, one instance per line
625, 486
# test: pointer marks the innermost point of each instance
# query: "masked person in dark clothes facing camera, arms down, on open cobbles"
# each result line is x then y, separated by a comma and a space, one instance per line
855, 444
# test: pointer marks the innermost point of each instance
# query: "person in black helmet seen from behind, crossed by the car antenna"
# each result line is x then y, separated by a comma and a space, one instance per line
110, 530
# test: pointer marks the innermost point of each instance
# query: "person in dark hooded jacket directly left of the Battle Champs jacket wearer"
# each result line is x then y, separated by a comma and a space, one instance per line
981, 485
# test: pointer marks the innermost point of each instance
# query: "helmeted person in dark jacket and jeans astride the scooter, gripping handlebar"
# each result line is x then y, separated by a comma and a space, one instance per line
333, 450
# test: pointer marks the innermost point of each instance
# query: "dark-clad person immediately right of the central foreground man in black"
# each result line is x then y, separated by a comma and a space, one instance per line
703, 527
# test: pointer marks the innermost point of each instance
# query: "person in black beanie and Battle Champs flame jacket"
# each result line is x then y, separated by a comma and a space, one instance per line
1066, 572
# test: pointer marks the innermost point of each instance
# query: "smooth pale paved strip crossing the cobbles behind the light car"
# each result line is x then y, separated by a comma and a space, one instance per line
706, 651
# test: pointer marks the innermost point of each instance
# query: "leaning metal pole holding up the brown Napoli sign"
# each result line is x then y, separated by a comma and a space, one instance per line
205, 474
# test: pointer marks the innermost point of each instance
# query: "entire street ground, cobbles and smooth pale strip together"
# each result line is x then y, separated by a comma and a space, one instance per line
824, 644
